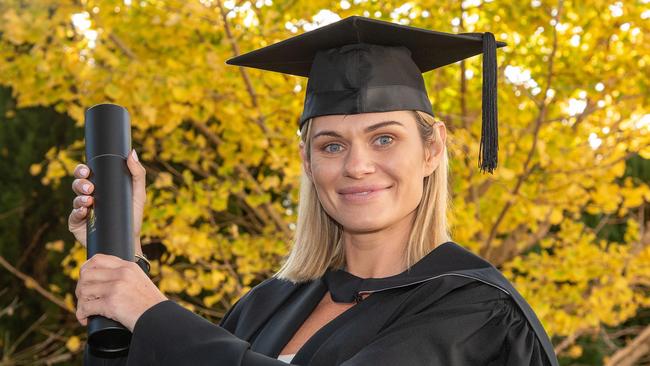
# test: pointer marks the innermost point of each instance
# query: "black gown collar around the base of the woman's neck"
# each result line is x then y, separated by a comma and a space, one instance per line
446, 257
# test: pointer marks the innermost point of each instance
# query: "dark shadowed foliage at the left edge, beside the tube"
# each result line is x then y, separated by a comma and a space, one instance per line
36, 304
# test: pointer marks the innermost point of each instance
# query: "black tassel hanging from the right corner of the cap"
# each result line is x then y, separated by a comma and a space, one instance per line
488, 153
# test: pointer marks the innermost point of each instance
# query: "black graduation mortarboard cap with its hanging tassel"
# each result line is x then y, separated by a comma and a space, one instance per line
360, 65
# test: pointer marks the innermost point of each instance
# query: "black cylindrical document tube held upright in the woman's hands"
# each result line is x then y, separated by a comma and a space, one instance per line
110, 219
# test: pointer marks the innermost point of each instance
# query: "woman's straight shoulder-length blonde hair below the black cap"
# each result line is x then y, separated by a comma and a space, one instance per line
317, 243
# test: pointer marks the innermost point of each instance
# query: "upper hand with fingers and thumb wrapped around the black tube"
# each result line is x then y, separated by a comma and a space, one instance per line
77, 218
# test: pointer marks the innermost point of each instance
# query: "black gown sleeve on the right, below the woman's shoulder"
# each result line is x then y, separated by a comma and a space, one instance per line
466, 332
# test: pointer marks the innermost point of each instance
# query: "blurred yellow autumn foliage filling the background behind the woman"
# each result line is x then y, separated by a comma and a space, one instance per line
565, 216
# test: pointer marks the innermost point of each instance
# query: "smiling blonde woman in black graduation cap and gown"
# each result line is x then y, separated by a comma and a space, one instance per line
372, 277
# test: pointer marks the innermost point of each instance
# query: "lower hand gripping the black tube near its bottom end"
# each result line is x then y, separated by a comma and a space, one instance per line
114, 288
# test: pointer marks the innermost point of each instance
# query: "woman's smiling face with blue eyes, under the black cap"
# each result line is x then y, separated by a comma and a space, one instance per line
368, 169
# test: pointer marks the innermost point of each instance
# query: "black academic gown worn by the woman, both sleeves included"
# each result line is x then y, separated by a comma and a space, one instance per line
452, 308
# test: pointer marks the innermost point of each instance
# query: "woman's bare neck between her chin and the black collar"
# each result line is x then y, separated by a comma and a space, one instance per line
378, 253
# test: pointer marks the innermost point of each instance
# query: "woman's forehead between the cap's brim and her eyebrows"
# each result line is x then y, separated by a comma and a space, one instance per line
351, 122
